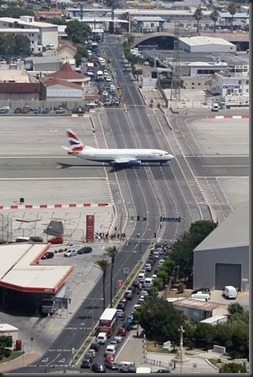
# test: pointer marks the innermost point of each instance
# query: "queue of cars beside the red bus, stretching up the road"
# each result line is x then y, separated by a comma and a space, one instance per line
132, 298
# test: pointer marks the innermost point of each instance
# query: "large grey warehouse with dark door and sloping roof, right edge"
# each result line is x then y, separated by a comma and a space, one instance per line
222, 258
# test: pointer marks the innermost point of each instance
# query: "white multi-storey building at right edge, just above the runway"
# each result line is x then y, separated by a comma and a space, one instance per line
233, 86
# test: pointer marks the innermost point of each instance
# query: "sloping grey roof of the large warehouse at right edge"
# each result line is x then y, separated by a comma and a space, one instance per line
232, 232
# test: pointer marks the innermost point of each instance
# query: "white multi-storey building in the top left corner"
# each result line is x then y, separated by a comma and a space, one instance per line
39, 33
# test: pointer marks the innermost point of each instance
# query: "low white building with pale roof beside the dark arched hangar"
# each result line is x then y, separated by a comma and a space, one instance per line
206, 44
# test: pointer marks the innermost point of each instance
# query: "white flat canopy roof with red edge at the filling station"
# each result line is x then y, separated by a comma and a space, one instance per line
20, 269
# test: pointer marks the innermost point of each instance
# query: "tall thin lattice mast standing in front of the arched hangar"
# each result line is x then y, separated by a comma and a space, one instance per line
175, 79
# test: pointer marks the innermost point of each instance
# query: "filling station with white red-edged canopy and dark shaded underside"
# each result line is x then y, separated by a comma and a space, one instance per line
24, 282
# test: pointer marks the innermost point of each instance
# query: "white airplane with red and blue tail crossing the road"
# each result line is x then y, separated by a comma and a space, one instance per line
116, 157
